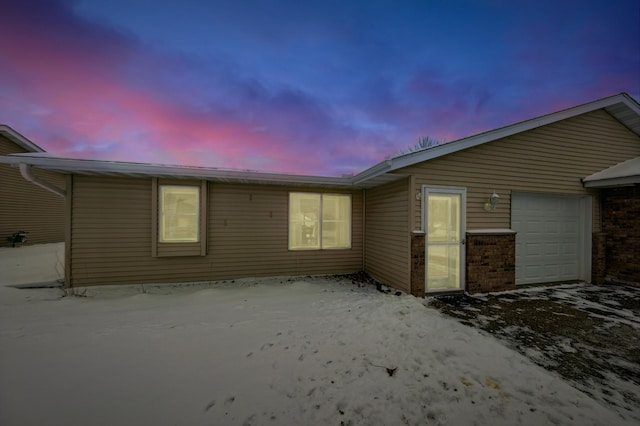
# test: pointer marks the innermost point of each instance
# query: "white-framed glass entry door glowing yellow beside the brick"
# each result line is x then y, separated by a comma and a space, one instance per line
444, 224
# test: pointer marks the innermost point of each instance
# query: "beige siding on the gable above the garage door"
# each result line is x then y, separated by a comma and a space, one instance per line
550, 159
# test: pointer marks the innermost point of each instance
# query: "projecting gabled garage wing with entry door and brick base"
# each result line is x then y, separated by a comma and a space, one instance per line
543, 225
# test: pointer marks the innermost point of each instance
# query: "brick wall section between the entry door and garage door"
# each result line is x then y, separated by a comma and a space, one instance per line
491, 261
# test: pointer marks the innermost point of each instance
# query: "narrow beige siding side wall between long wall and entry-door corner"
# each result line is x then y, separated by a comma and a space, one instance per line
388, 234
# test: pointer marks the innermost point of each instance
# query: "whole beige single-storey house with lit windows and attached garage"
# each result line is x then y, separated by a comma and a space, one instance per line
514, 206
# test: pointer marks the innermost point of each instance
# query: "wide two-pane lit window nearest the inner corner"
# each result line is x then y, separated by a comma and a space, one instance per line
319, 221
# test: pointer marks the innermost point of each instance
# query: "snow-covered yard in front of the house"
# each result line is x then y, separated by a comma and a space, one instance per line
279, 351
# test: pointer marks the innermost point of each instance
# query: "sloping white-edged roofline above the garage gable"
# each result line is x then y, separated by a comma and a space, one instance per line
412, 158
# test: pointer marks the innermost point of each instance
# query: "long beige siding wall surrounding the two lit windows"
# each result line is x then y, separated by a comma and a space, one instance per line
247, 236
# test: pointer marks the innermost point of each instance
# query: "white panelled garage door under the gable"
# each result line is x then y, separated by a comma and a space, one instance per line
549, 239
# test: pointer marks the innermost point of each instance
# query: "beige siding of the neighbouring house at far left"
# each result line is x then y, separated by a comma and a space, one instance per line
27, 207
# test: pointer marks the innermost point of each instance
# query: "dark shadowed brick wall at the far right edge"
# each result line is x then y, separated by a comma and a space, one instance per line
621, 223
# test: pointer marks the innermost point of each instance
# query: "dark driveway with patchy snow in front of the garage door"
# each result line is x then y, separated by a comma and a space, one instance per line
588, 334
